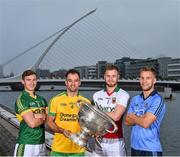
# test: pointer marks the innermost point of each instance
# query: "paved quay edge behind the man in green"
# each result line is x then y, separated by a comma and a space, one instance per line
9, 131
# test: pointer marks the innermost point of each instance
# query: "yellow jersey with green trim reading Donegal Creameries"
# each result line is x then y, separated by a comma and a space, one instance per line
65, 110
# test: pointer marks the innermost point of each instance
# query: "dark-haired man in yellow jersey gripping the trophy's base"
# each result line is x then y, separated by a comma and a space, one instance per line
63, 117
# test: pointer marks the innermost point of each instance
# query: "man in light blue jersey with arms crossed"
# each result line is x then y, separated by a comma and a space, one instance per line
145, 114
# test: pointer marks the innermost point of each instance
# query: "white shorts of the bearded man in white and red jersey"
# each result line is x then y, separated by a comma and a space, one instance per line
110, 147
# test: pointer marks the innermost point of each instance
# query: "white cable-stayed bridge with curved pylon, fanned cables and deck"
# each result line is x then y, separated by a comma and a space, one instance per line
82, 43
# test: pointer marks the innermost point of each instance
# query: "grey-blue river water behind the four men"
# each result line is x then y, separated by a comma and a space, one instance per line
170, 128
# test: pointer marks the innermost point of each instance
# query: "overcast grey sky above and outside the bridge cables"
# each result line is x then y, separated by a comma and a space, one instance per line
151, 26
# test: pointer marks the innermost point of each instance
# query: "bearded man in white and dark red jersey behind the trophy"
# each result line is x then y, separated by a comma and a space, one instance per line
113, 101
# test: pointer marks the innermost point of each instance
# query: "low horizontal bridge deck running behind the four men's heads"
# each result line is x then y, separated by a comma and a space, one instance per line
15, 84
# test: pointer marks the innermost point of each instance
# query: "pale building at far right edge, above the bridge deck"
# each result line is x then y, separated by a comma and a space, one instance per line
174, 69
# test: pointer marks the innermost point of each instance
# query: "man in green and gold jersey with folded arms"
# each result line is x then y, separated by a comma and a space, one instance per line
30, 110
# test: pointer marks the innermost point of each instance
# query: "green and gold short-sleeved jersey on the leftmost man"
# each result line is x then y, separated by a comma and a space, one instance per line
24, 104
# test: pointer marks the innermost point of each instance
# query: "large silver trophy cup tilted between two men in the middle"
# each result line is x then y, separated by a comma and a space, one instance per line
93, 122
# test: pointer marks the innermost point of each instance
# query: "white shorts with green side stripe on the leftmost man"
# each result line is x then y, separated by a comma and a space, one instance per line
30, 150
